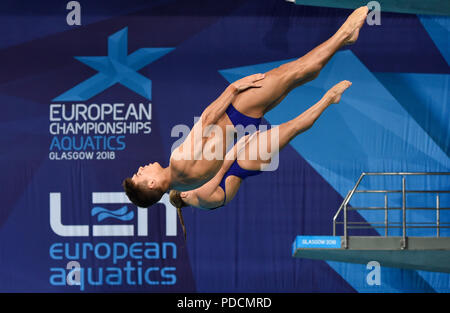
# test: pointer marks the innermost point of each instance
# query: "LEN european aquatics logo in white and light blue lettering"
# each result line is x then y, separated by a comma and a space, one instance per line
106, 260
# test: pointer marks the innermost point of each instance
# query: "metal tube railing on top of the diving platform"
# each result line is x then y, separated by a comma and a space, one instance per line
438, 225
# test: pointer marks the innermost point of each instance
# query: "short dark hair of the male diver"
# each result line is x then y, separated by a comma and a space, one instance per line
140, 195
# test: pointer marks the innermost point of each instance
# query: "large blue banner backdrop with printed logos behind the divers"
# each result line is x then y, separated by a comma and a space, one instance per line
77, 117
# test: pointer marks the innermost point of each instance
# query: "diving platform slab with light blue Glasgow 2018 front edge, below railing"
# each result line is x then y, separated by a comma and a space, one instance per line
421, 253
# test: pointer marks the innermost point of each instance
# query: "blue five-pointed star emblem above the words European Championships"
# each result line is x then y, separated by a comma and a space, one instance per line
116, 67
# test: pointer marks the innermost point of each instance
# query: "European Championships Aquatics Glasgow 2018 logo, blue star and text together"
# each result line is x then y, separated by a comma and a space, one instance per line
99, 130
